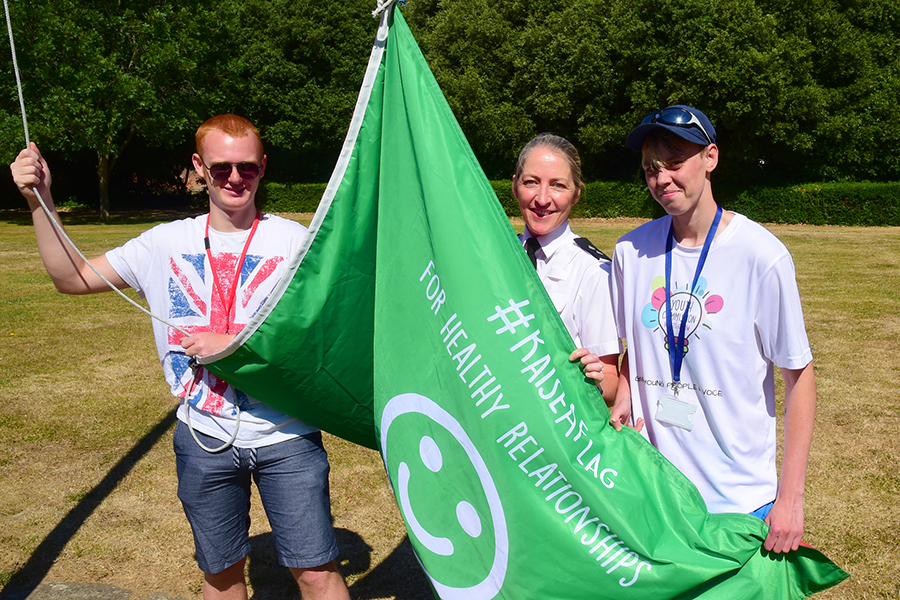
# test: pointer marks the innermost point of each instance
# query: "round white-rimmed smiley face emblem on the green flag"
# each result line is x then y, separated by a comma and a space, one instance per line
447, 497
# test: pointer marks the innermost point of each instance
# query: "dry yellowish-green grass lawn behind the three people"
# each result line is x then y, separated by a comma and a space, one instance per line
87, 477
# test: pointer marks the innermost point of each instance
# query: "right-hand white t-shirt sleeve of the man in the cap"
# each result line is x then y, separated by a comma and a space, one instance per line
779, 317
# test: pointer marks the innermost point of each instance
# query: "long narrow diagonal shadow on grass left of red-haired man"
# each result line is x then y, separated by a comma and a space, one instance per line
32, 572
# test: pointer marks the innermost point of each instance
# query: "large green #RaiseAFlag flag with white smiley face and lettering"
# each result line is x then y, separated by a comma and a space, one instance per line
414, 323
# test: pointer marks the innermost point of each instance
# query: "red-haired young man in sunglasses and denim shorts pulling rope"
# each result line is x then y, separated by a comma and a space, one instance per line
209, 275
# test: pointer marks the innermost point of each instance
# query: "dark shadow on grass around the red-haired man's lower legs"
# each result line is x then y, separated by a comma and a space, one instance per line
399, 575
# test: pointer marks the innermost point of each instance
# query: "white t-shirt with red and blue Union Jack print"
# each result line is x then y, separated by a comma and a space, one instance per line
168, 266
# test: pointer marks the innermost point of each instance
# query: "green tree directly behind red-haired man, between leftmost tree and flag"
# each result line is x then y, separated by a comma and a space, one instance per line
295, 70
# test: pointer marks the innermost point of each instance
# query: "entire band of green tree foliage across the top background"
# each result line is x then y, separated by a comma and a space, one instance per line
799, 90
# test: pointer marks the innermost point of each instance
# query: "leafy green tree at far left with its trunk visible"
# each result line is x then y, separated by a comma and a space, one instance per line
97, 73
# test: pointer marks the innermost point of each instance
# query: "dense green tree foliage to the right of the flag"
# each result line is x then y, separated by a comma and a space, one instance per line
797, 89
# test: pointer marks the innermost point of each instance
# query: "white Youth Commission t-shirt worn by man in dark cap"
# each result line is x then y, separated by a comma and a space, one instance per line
745, 315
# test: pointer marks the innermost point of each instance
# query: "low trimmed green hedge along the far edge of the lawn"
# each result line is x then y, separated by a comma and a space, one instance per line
862, 204
